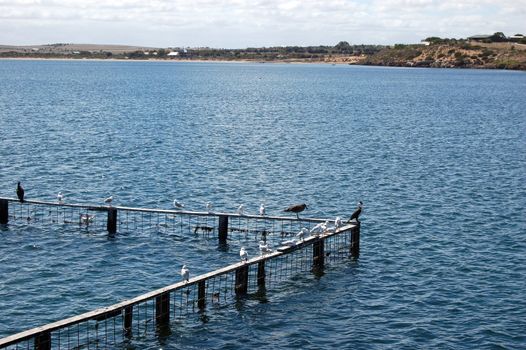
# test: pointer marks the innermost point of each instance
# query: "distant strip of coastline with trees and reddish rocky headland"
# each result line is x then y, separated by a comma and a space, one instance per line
439, 53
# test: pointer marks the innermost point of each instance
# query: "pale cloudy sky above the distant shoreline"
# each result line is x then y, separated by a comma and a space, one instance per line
255, 23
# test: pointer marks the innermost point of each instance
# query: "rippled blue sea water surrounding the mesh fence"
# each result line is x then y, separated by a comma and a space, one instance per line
438, 156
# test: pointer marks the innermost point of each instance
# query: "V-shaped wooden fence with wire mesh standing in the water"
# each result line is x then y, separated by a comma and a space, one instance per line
157, 310
